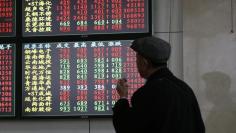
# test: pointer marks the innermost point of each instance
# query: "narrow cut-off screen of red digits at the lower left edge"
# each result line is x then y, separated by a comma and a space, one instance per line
7, 95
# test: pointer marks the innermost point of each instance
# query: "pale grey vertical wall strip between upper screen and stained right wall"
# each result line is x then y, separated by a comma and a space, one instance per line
168, 25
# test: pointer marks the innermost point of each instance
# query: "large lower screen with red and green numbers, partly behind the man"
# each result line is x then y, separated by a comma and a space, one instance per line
76, 78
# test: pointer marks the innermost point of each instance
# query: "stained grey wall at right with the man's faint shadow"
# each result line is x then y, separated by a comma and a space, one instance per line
210, 61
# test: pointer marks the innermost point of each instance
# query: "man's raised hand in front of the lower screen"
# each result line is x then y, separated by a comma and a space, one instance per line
122, 88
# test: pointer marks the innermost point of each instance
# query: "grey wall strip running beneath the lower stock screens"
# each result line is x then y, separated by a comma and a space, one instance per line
57, 126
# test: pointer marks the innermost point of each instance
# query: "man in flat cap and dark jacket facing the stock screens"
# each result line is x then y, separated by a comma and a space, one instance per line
165, 104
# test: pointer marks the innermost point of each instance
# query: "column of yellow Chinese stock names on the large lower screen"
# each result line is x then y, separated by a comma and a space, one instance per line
38, 79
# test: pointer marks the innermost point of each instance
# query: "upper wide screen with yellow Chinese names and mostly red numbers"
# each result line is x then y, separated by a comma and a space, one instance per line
84, 17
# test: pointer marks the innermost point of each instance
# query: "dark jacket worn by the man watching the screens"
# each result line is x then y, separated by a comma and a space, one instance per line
164, 104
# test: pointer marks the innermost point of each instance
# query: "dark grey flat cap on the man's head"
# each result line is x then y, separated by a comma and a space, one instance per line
152, 48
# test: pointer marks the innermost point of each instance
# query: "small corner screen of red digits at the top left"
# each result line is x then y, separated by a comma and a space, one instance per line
7, 17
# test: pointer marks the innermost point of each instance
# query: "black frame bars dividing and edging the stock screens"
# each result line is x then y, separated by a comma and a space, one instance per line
19, 39
